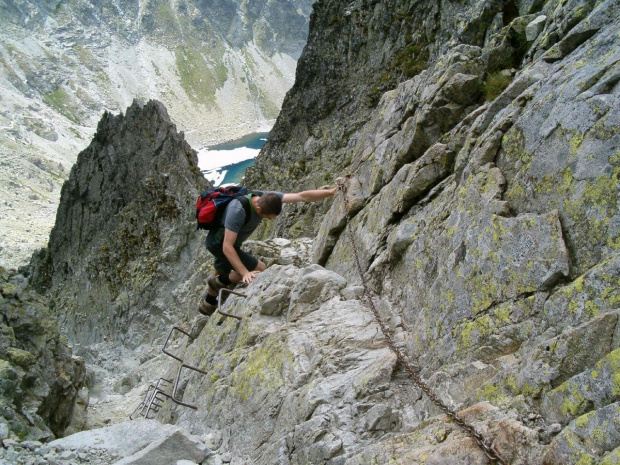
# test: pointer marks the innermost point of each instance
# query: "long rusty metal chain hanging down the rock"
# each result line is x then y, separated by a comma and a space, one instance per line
488, 449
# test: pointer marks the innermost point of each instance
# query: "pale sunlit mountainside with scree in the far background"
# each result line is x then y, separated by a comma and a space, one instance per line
221, 68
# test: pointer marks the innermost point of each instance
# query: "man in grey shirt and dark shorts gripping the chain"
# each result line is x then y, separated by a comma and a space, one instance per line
233, 265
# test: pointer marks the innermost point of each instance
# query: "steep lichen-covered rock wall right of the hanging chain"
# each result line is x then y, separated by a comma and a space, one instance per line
483, 195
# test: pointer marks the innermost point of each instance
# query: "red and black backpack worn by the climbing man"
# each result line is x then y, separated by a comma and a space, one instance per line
211, 204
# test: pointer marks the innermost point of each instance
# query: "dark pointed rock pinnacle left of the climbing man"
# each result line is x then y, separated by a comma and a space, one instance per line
125, 244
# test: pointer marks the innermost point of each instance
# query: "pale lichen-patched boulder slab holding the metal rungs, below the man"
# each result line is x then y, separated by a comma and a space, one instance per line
307, 377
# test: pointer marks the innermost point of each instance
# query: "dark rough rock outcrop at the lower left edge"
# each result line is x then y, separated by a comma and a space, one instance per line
39, 377
